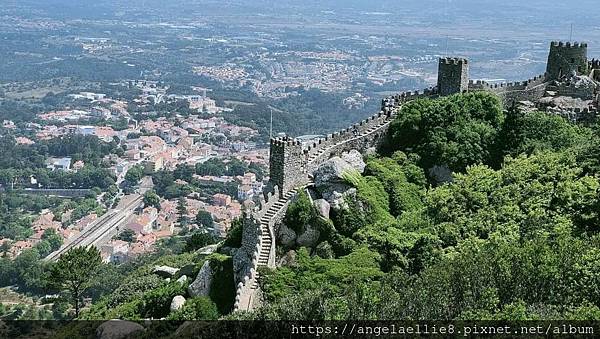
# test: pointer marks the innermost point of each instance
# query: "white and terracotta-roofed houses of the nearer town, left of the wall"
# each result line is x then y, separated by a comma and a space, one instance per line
157, 143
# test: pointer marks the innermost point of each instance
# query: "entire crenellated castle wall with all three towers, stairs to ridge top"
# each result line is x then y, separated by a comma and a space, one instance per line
292, 162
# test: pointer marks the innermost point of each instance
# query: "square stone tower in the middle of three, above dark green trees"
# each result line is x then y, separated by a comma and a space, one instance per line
453, 76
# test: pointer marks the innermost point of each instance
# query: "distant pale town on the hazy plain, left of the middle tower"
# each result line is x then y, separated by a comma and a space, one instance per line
281, 73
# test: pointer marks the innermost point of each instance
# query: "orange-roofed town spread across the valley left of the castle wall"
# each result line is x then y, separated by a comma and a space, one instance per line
147, 144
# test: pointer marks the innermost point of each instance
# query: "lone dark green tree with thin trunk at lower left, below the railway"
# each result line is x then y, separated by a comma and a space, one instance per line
73, 272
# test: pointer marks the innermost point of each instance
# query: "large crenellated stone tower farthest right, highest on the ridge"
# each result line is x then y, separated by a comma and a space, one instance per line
564, 58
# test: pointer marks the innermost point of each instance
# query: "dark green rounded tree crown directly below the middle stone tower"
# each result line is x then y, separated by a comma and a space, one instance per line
455, 131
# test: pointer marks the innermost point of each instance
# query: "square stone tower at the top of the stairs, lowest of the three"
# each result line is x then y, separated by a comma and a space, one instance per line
286, 169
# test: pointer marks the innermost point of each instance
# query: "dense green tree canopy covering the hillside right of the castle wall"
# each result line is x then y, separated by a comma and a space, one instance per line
512, 235
